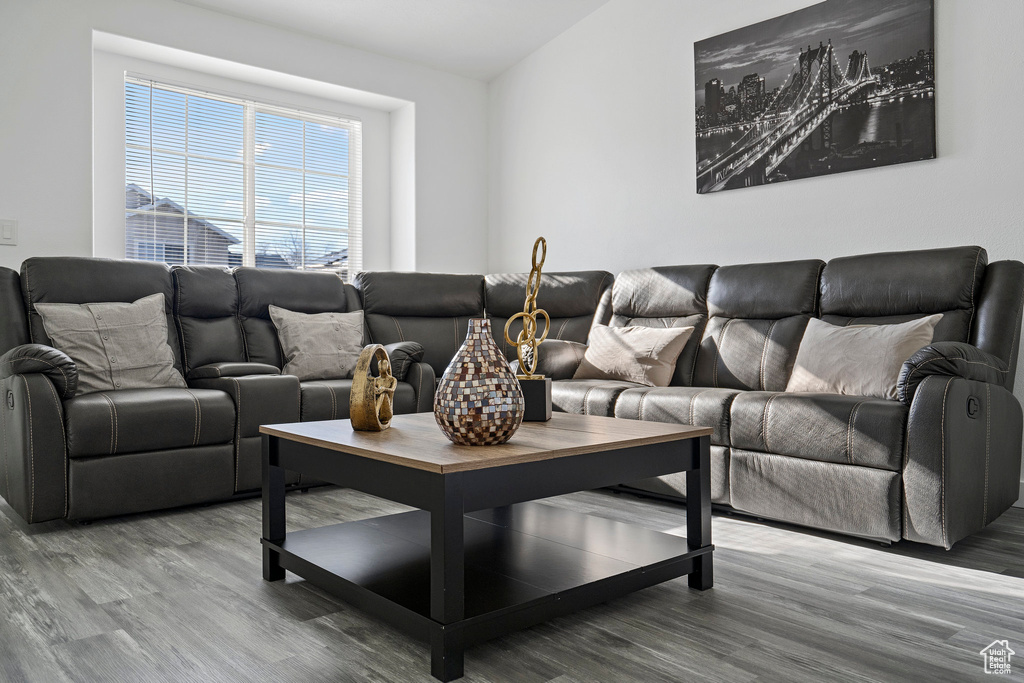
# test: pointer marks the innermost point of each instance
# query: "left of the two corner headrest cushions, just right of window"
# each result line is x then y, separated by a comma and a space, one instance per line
437, 295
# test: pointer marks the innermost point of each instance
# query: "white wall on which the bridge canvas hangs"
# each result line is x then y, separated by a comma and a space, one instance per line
593, 147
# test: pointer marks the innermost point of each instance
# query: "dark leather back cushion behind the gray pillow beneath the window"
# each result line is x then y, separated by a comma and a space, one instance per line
295, 290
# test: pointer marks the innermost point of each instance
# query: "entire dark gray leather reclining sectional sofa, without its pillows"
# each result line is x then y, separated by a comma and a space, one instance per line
933, 467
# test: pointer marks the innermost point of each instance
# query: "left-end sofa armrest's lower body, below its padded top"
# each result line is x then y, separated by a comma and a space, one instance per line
33, 446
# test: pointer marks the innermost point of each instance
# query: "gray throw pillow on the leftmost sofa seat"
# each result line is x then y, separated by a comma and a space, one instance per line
114, 346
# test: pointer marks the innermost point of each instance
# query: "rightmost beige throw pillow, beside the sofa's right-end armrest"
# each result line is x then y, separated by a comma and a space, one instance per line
860, 360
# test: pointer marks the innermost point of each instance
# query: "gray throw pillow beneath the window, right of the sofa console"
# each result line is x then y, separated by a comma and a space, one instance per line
319, 347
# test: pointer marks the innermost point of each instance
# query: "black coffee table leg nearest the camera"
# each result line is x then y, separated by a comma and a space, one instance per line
447, 577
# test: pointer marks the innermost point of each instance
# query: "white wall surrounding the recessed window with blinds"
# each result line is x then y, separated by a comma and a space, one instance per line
47, 127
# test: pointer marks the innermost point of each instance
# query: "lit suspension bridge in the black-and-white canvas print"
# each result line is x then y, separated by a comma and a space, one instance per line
816, 90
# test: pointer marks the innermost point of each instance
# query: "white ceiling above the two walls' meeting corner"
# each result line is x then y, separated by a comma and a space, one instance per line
475, 38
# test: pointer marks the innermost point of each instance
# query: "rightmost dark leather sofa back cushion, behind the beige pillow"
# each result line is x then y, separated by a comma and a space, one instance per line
898, 287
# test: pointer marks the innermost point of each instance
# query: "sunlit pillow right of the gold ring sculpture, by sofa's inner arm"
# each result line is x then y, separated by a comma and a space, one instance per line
644, 356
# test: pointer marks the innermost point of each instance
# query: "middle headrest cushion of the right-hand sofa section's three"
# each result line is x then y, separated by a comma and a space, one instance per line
765, 290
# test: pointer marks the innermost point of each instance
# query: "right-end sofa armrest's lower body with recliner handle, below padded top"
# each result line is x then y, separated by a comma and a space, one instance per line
963, 458
